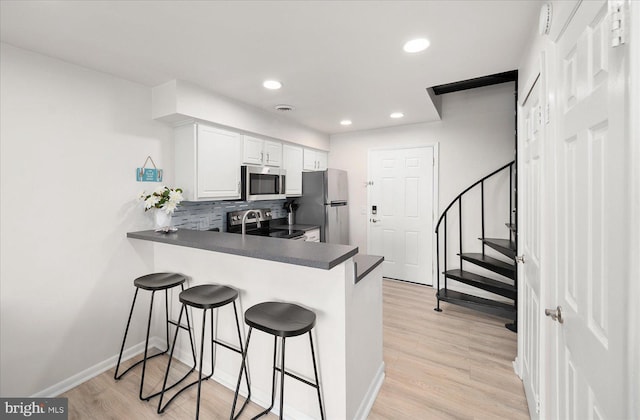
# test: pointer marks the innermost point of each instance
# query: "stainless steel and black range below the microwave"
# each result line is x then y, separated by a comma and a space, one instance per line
257, 222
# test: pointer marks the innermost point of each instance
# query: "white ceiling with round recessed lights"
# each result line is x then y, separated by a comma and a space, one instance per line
336, 59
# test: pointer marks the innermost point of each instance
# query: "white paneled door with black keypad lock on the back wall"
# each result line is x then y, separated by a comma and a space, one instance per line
401, 212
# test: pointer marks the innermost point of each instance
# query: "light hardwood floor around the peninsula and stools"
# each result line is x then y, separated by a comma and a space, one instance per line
450, 365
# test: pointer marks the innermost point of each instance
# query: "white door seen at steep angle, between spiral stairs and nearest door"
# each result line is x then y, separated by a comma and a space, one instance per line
530, 154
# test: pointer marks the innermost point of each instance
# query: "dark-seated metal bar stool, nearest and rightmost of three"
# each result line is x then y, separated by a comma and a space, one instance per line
280, 319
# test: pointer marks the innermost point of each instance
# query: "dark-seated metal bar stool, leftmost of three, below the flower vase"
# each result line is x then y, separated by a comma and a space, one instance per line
153, 282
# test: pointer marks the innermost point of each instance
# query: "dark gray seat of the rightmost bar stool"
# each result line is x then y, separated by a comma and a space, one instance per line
280, 318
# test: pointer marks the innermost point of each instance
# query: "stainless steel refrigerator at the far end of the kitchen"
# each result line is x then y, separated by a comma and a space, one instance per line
324, 202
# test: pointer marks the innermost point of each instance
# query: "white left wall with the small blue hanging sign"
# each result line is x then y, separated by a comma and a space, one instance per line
71, 139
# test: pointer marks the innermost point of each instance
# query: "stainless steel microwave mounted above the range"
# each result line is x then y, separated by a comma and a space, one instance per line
263, 183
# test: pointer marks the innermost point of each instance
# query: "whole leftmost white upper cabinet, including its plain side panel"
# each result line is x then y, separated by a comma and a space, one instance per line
206, 162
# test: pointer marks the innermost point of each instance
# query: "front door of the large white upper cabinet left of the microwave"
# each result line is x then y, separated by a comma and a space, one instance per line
217, 157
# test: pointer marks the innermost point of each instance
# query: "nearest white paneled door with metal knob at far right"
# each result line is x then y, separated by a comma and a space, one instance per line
592, 281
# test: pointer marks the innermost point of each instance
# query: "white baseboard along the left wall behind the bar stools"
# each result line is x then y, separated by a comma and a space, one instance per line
97, 369
